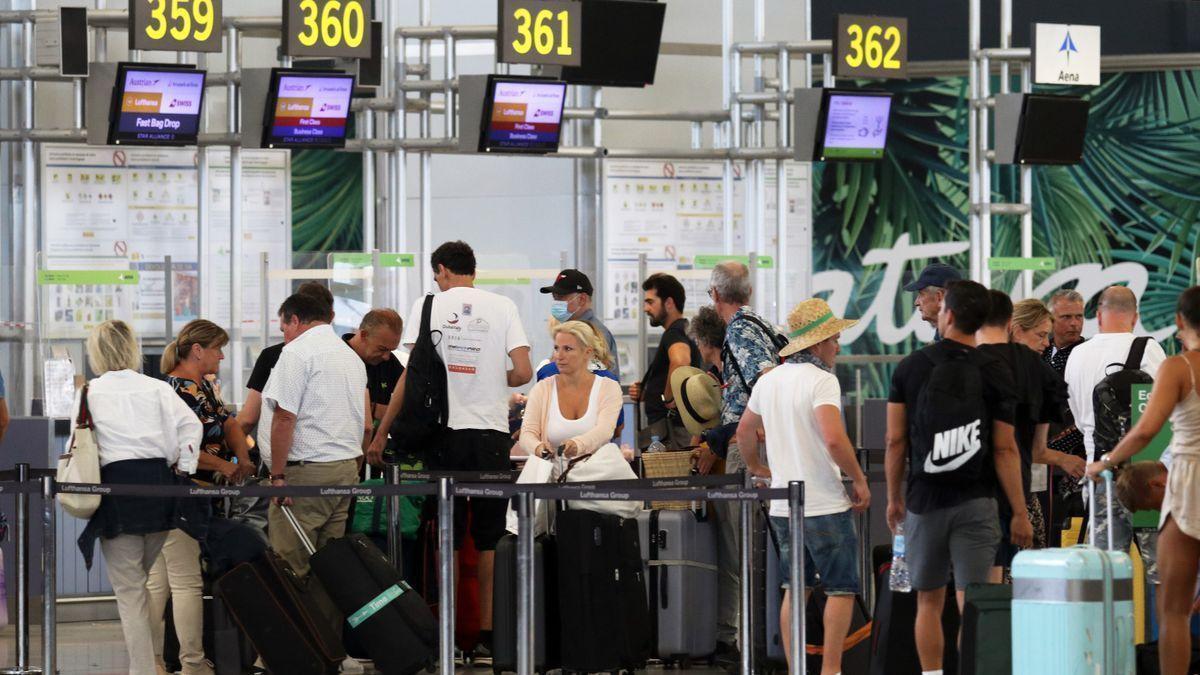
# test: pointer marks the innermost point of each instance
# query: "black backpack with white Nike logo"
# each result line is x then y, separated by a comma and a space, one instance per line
952, 428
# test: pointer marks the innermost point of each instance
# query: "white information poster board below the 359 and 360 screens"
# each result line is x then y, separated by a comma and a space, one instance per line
128, 208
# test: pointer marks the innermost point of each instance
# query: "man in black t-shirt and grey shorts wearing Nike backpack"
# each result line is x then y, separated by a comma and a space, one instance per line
947, 521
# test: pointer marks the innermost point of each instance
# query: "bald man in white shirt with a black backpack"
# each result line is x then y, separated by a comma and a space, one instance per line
1088, 366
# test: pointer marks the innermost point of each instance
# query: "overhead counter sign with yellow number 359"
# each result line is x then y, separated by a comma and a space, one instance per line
176, 26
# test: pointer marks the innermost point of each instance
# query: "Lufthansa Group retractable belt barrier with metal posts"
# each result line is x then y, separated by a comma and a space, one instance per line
445, 486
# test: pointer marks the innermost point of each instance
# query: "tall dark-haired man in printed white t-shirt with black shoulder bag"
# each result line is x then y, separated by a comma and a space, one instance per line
464, 342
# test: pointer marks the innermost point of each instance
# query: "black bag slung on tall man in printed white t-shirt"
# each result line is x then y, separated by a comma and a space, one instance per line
425, 413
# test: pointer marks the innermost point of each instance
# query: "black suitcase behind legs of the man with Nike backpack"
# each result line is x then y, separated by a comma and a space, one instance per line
893, 642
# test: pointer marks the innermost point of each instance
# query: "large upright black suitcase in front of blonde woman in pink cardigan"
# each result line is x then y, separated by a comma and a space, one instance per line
602, 593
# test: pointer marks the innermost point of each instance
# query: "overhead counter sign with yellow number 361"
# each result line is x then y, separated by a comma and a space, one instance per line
541, 32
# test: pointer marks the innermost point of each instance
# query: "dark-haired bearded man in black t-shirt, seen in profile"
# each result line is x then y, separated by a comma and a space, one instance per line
664, 304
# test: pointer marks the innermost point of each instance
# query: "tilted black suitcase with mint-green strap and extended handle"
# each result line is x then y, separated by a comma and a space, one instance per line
387, 617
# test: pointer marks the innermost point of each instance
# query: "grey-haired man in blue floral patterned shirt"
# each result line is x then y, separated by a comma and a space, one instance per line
752, 349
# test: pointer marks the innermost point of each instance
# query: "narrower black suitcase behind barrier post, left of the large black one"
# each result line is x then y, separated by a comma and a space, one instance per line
505, 607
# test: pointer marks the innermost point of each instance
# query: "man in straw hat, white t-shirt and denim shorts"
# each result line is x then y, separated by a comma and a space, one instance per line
799, 405
